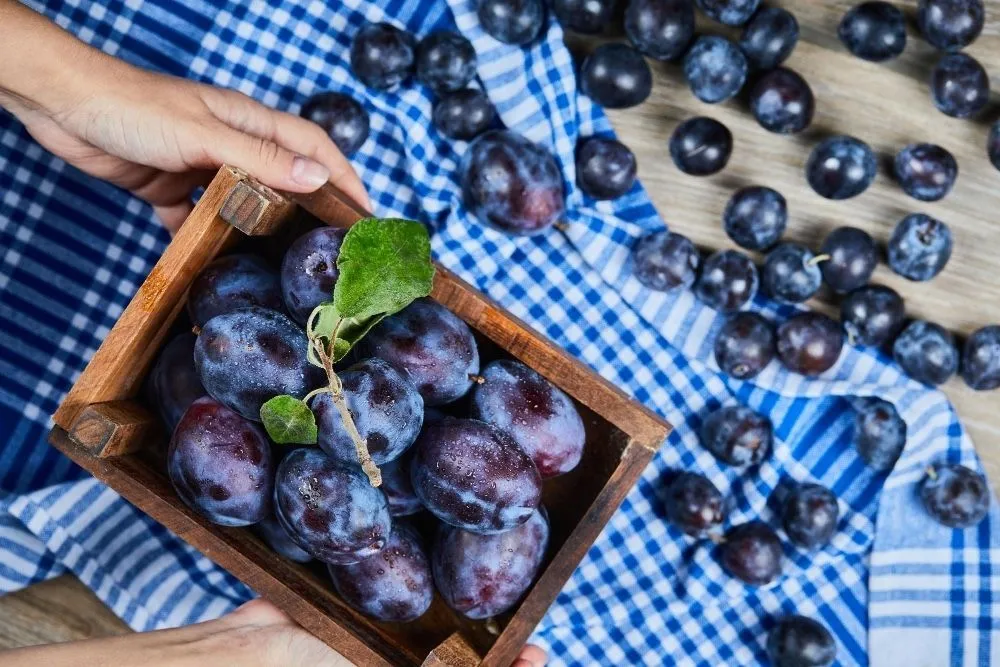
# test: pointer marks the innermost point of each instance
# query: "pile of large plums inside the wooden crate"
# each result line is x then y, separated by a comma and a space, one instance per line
467, 447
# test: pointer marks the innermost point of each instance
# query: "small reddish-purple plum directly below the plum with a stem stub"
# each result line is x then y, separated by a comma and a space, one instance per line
810, 343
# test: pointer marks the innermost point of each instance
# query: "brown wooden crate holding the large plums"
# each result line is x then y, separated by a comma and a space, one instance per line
106, 428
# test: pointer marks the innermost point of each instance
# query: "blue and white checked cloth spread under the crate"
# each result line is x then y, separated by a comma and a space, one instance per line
894, 587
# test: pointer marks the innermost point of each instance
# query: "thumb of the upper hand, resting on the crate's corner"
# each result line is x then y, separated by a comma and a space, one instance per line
269, 163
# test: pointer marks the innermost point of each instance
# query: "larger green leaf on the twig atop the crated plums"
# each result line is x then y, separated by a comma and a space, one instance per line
384, 265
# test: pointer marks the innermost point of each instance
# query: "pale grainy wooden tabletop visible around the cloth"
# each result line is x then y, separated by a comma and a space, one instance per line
886, 105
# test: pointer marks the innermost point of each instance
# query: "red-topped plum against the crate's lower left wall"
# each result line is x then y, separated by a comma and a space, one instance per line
220, 465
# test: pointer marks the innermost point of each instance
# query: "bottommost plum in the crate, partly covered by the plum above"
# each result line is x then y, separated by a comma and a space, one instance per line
395, 585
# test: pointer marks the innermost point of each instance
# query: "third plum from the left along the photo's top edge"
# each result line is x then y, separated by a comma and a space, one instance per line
660, 29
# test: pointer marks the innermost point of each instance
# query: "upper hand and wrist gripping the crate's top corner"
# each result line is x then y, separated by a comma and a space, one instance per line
156, 135
